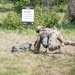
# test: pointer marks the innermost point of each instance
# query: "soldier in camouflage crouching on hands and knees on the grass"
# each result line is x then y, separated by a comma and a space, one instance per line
48, 37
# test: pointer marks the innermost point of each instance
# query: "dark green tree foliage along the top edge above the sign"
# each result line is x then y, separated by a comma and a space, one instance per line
46, 3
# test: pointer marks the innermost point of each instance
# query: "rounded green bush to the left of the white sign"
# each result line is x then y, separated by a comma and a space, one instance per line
12, 21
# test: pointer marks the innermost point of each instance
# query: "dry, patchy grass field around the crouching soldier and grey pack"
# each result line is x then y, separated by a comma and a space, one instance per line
29, 63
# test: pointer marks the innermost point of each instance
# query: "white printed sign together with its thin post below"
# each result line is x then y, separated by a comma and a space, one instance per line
28, 16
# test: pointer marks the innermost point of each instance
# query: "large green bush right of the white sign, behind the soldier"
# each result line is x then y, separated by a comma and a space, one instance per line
46, 17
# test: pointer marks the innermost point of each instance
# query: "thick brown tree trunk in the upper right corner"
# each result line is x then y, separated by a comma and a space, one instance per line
70, 13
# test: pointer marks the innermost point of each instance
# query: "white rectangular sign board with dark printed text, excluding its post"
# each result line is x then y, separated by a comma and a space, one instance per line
27, 15
